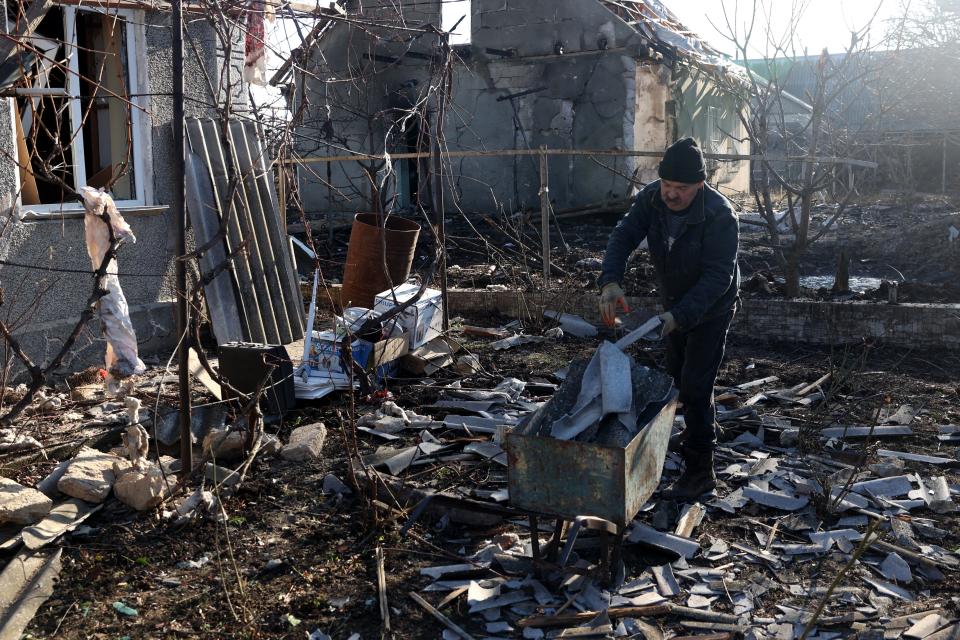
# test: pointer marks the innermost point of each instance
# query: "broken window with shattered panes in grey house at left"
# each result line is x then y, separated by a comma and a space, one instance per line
76, 125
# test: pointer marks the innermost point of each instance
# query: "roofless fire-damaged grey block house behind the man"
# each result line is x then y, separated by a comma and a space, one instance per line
568, 75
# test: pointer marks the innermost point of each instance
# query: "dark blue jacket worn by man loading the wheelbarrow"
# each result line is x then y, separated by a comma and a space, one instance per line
699, 278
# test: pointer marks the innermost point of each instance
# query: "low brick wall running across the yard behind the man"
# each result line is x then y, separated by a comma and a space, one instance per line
805, 321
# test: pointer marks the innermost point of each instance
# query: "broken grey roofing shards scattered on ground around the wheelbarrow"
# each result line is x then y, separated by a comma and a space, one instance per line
733, 564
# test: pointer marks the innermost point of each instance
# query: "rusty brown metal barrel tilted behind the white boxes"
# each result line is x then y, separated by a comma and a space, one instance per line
363, 273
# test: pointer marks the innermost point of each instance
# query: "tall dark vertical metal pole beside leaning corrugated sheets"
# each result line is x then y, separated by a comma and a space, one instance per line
180, 209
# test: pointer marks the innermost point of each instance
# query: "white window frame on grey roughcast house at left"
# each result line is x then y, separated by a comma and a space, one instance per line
140, 131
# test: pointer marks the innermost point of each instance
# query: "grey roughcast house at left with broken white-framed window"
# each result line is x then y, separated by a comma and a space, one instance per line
88, 103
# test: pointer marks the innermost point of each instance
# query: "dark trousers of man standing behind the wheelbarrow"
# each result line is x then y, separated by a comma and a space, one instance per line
693, 359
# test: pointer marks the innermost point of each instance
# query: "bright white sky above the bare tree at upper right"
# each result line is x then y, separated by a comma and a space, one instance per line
824, 23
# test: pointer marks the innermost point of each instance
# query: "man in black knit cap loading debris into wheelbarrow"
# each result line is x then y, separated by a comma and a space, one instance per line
693, 238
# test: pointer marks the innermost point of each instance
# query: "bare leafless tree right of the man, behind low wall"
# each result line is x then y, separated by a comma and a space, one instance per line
811, 129
